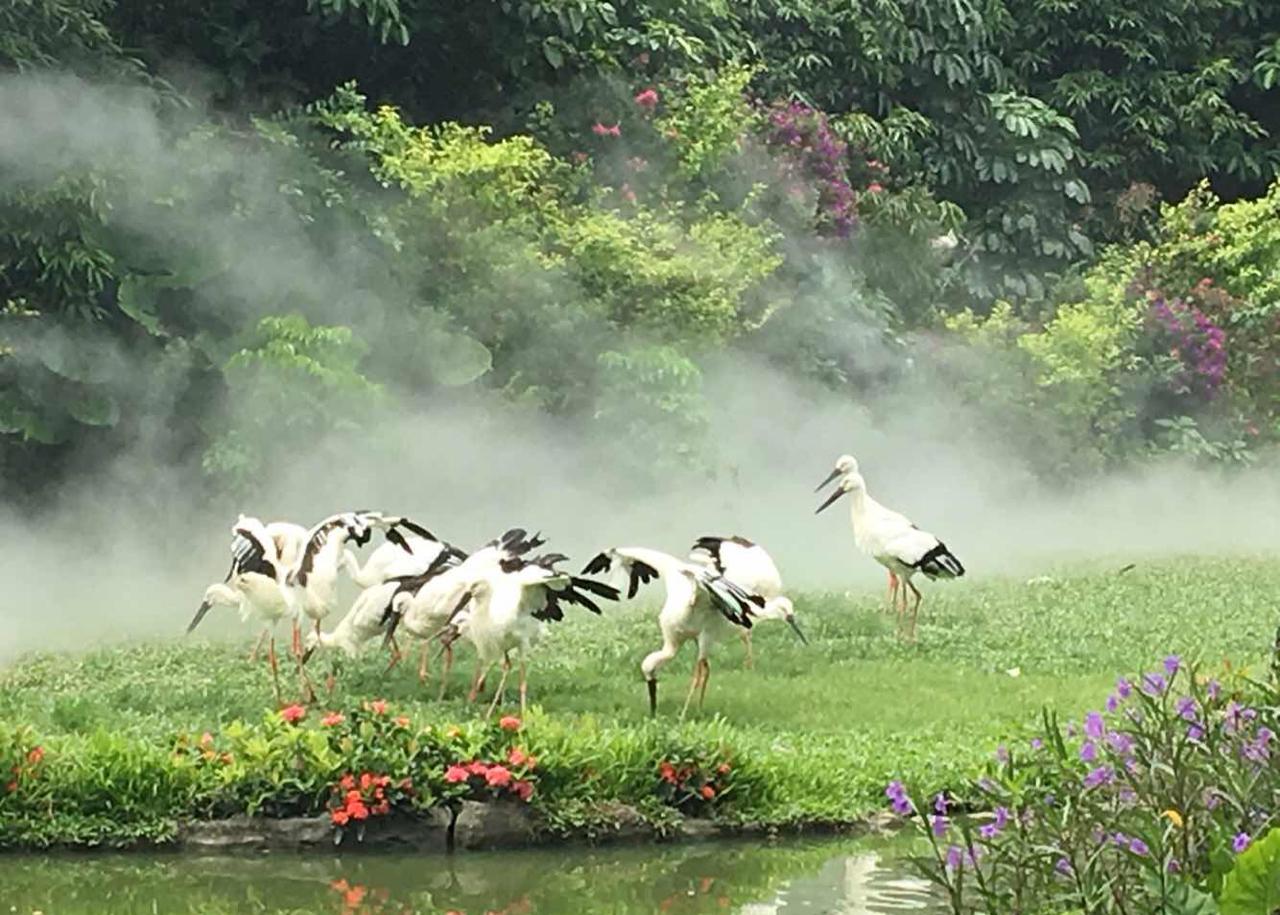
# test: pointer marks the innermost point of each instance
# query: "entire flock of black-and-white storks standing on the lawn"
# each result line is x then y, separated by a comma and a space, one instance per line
500, 597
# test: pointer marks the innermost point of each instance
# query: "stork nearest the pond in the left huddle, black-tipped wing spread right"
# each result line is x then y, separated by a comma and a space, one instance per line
509, 609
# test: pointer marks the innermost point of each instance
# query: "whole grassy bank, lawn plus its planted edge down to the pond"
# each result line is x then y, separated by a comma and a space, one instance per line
811, 734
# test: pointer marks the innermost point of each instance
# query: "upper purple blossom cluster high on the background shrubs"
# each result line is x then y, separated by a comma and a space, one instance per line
813, 153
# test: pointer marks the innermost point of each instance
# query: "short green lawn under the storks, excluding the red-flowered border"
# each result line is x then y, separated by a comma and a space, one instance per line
836, 719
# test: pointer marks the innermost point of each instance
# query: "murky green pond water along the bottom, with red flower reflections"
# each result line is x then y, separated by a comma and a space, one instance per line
752, 879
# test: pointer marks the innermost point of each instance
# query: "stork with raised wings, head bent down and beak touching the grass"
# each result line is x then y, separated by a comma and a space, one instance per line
701, 605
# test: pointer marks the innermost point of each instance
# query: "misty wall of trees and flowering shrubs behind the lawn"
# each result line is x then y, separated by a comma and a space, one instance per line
1060, 212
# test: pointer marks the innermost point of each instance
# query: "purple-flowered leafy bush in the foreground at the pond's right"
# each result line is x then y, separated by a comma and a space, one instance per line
1142, 807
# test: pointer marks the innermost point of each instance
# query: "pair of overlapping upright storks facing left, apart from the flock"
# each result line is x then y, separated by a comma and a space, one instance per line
892, 539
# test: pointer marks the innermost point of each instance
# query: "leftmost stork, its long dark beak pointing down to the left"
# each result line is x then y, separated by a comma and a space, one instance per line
255, 584
